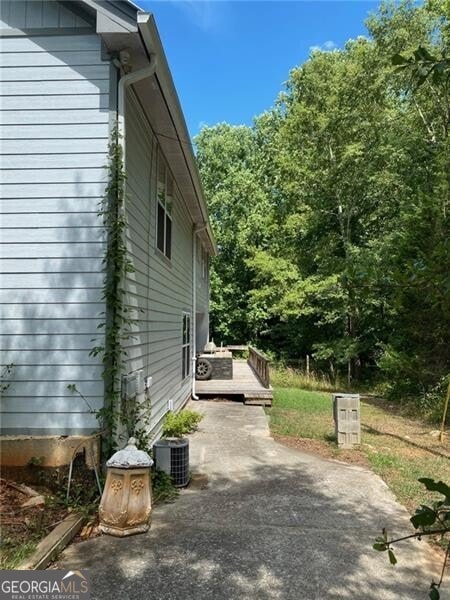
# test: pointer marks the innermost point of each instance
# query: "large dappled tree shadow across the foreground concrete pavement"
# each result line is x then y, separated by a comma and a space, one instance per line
274, 535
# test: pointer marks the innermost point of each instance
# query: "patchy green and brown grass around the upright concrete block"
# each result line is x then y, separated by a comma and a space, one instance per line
400, 450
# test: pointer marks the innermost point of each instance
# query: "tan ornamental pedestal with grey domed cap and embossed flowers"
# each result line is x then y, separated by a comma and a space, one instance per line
125, 507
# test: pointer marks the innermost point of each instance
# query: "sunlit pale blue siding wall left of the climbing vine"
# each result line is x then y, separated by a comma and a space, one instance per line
54, 130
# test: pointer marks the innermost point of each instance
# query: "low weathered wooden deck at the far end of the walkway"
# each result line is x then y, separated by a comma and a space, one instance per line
244, 383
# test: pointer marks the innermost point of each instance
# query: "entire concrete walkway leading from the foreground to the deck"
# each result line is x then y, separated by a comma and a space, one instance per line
273, 523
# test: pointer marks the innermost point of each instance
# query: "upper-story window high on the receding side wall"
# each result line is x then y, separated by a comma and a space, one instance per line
164, 209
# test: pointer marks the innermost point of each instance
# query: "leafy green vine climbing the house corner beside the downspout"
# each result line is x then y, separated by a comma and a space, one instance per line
117, 417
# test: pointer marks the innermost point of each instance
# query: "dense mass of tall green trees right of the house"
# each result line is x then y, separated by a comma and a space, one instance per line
331, 212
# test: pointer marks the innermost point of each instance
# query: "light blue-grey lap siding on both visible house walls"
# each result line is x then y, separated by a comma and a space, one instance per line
57, 109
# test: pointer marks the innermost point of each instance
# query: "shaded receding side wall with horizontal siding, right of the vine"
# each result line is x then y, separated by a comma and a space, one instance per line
159, 288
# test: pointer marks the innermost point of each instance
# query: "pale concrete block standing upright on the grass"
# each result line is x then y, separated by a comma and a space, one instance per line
347, 419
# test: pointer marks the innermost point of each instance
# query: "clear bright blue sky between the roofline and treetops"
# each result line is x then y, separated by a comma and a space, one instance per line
229, 60
